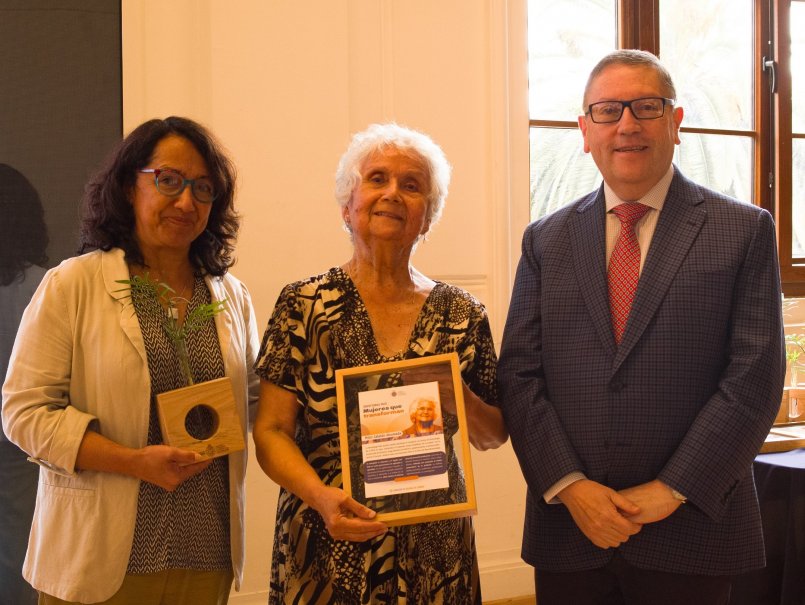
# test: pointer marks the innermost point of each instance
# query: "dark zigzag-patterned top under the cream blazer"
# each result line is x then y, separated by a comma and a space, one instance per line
189, 527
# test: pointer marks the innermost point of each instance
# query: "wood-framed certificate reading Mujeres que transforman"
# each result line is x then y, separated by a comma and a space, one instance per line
404, 446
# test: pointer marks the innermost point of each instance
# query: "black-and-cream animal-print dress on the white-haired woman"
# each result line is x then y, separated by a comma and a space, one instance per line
320, 325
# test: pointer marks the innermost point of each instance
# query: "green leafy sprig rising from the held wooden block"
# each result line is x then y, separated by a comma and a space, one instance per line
176, 330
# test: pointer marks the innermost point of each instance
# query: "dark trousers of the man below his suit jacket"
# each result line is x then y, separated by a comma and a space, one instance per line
619, 583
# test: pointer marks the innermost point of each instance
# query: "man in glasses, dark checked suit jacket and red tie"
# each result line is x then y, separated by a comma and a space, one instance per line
642, 365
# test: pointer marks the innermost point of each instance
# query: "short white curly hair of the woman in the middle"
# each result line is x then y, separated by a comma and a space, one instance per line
379, 137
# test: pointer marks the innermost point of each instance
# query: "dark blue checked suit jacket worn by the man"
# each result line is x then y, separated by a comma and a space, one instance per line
688, 397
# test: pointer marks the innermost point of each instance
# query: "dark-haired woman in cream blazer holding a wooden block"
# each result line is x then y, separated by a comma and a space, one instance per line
121, 518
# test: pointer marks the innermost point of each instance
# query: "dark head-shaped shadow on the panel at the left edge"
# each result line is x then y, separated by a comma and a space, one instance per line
23, 232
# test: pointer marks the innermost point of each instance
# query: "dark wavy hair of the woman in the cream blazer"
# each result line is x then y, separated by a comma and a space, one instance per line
108, 217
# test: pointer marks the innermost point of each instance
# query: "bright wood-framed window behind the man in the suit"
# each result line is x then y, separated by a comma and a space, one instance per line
736, 66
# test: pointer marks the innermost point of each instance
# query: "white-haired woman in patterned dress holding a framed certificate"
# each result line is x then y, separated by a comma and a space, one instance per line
391, 184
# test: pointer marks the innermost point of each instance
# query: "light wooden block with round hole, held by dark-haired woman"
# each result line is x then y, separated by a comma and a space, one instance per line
214, 397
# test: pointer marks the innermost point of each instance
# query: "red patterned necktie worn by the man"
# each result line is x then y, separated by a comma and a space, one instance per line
624, 266
